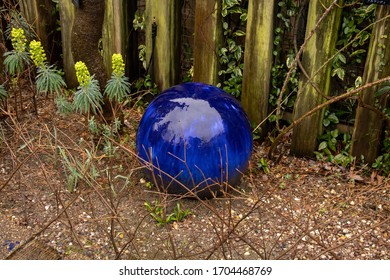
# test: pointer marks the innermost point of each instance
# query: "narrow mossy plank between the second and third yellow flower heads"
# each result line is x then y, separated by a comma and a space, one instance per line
67, 14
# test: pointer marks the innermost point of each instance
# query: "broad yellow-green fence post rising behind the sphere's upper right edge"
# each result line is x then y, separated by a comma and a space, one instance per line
258, 59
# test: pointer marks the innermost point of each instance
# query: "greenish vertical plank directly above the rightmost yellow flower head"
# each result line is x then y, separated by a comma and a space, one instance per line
114, 31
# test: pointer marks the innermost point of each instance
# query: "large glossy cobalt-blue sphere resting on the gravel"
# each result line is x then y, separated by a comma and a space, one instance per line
194, 139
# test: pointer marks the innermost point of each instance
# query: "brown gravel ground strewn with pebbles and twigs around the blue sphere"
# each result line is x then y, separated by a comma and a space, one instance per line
301, 209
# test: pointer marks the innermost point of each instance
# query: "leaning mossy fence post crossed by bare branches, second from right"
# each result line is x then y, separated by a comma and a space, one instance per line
318, 50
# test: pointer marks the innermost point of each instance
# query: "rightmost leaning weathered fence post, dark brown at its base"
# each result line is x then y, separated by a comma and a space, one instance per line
369, 124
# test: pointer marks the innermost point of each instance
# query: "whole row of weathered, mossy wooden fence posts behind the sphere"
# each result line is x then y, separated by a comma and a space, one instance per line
107, 24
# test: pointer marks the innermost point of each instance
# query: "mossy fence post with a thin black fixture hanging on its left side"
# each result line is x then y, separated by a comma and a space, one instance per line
165, 50
